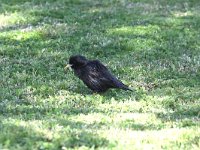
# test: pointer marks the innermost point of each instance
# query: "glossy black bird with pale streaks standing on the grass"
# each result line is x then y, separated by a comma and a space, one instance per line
94, 74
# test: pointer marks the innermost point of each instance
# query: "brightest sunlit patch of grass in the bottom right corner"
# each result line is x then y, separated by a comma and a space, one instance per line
168, 138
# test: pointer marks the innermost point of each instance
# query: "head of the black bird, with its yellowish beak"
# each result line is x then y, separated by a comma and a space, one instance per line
77, 61
